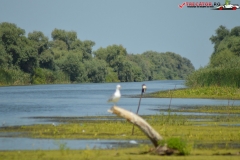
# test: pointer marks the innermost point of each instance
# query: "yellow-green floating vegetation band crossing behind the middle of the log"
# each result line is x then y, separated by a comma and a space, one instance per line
186, 127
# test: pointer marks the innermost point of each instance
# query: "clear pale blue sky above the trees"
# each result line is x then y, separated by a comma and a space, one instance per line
137, 25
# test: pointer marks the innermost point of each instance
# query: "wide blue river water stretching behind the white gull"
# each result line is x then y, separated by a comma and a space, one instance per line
20, 104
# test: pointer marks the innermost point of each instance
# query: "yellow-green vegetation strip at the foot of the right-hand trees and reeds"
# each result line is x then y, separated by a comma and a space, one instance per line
214, 92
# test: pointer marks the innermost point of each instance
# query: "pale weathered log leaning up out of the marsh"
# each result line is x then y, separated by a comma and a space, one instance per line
139, 122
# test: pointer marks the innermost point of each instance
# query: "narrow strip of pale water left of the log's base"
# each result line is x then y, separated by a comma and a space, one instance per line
55, 144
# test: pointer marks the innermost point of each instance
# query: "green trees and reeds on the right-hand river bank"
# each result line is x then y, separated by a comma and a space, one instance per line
224, 66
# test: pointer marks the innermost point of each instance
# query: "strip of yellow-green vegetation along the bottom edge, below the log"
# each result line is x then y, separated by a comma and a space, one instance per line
116, 154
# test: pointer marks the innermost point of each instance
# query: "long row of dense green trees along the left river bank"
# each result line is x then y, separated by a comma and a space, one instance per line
34, 59
